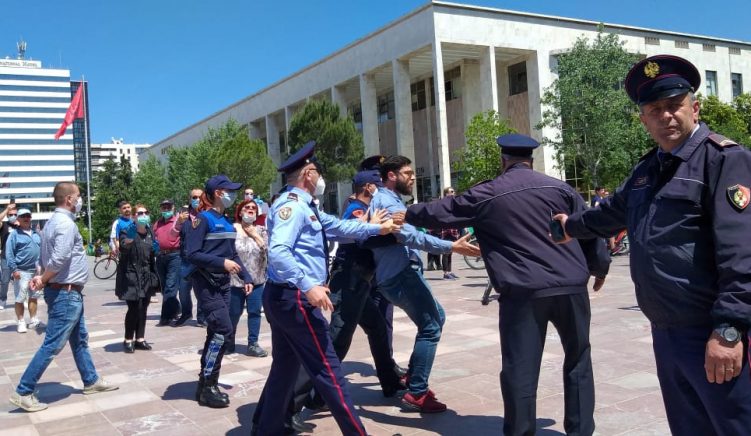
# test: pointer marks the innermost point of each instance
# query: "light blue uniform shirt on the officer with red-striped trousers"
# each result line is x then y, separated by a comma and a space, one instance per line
297, 256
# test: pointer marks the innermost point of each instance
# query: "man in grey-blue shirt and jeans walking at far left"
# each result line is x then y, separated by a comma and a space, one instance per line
64, 273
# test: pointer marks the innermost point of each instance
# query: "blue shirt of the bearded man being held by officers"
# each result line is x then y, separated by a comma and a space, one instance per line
392, 259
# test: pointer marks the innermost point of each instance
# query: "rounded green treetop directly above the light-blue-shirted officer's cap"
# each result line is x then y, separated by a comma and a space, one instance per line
339, 145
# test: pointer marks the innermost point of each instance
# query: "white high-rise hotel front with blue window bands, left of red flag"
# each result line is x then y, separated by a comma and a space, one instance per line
33, 102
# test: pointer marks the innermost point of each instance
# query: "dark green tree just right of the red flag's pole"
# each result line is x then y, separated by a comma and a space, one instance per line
113, 183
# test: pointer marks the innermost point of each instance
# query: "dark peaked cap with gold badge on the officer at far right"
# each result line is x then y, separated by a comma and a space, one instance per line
661, 76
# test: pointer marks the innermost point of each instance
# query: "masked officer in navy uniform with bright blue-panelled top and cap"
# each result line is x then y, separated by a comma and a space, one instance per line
210, 248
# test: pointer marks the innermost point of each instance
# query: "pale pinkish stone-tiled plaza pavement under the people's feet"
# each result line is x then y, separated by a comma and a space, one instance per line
157, 387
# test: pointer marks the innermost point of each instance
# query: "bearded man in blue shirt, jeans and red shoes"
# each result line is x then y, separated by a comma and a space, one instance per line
400, 280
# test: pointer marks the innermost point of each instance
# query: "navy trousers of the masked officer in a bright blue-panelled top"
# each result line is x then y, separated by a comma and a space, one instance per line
215, 302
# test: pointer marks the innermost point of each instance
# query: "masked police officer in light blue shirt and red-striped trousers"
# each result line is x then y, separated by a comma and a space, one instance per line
296, 293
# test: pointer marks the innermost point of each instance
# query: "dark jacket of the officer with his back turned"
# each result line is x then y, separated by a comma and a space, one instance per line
511, 216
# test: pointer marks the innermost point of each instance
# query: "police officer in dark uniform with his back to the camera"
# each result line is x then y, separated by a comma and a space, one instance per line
538, 280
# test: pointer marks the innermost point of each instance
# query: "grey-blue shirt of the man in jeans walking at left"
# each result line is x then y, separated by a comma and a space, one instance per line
62, 249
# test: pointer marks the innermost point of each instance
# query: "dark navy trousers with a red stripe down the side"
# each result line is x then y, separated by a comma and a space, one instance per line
300, 336
